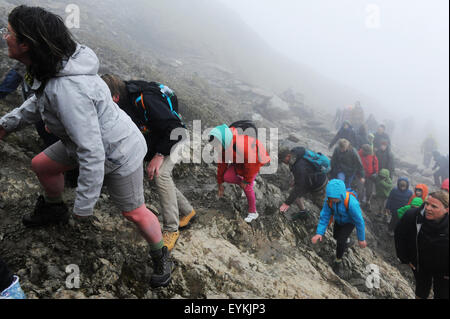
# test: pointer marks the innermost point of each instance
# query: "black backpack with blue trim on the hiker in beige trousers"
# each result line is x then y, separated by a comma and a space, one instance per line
153, 101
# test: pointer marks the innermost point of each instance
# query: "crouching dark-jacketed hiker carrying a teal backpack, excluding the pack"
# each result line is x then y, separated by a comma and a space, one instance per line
307, 179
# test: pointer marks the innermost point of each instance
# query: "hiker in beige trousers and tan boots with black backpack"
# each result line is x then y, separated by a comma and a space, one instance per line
163, 152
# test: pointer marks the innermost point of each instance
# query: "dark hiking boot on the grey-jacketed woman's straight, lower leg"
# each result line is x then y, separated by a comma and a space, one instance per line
162, 268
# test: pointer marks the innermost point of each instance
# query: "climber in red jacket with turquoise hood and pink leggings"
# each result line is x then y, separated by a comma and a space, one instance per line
242, 158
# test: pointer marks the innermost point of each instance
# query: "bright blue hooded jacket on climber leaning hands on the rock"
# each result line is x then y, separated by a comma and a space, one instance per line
336, 189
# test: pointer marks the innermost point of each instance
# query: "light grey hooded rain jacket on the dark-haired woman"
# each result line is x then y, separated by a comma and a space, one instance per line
77, 107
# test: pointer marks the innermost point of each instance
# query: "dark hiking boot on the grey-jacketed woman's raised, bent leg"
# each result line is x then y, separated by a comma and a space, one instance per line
46, 214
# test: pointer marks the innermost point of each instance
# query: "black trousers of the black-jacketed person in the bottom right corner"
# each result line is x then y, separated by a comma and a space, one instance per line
425, 280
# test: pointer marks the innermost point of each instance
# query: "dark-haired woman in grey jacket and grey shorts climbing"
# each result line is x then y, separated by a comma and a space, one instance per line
95, 134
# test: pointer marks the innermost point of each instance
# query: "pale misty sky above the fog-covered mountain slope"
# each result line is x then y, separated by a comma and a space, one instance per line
404, 63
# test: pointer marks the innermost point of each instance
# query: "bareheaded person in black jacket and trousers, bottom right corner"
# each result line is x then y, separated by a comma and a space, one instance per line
421, 241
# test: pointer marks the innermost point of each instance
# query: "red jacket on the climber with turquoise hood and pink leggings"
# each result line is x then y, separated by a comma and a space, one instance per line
243, 154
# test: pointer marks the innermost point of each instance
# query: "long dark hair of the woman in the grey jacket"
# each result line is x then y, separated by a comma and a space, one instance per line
47, 36
